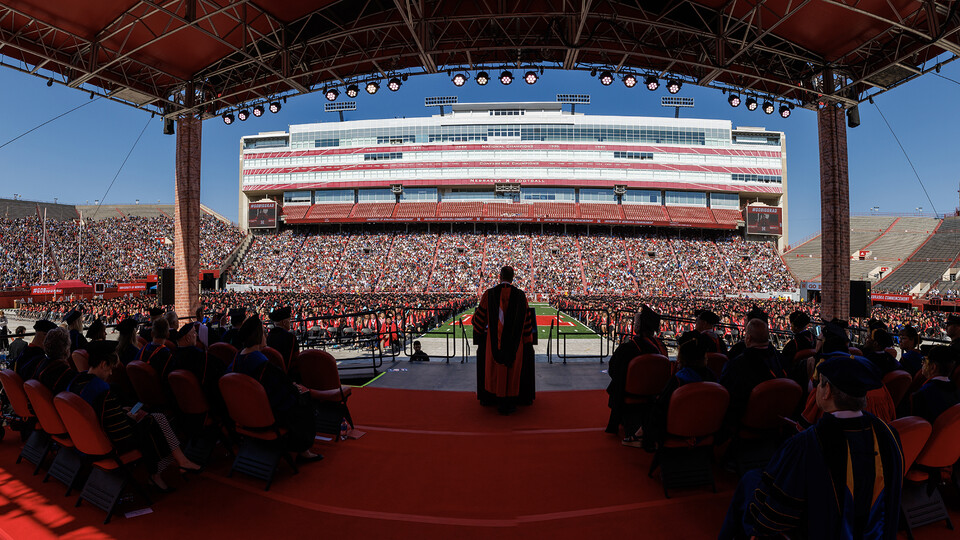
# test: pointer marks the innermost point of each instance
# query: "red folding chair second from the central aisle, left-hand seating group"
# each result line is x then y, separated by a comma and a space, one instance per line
260, 451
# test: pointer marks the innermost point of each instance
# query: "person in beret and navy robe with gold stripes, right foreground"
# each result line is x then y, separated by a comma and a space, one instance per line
841, 478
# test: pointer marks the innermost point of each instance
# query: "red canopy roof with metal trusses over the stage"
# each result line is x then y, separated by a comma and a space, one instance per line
147, 53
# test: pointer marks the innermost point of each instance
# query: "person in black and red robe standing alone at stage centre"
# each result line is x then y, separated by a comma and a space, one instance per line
503, 331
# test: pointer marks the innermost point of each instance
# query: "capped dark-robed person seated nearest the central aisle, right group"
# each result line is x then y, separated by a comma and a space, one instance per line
646, 324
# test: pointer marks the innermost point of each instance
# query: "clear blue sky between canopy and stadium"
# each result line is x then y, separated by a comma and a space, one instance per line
75, 158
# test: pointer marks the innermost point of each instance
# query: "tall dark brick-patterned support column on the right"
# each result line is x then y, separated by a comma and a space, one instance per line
834, 209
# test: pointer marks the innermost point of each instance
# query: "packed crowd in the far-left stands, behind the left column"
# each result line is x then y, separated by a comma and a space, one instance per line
111, 250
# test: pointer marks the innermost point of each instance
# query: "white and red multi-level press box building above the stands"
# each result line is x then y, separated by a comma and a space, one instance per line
518, 163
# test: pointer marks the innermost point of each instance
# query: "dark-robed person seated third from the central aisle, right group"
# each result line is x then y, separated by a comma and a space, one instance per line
759, 362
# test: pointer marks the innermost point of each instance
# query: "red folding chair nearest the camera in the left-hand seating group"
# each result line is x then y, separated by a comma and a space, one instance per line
110, 474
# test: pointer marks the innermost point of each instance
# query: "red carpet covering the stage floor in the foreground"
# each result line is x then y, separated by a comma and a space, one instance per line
430, 465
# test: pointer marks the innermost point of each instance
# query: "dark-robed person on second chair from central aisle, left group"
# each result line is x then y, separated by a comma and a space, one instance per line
290, 410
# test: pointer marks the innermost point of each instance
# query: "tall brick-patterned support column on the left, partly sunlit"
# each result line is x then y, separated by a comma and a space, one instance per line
186, 232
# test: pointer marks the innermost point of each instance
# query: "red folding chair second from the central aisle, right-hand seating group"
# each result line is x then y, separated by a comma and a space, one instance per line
694, 416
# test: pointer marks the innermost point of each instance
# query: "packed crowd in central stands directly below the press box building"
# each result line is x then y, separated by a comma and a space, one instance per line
467, 261
